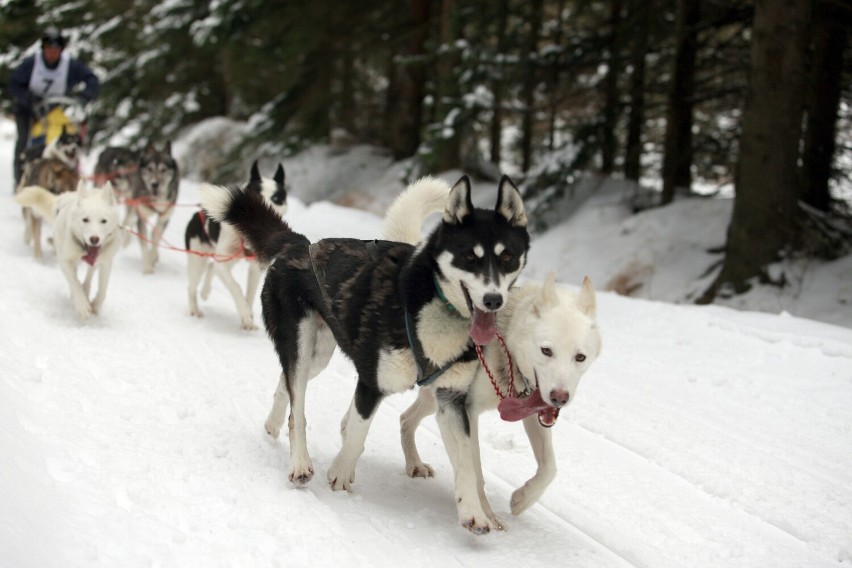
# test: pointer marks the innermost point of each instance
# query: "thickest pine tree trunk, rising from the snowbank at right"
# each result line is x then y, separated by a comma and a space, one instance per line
765, 217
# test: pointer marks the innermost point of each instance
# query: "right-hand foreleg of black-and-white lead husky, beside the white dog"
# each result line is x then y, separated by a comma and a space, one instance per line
455, 430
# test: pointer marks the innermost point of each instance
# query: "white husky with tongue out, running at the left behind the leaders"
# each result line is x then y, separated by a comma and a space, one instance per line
85, 229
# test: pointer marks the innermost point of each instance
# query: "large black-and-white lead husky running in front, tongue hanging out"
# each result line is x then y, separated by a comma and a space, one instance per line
403, 315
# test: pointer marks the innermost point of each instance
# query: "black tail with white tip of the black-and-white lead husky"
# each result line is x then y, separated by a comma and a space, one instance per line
249, 213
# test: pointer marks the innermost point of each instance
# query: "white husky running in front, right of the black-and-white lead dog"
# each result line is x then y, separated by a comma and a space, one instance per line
552, 339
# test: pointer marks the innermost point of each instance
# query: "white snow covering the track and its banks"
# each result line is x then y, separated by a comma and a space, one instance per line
703, 436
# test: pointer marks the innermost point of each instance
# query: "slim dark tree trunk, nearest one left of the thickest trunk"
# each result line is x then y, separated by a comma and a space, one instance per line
677, 160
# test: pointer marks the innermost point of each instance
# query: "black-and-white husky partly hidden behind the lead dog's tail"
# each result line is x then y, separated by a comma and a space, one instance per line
216, 247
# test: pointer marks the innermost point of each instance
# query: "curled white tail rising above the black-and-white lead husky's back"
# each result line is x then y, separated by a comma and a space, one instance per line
405, 217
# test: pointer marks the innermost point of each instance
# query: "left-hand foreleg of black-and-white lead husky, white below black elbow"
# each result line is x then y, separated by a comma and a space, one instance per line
341, 474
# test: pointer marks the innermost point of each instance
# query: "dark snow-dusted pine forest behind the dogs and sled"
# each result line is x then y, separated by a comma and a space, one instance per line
745, 98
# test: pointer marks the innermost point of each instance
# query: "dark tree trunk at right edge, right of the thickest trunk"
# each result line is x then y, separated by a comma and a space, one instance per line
823, 102
